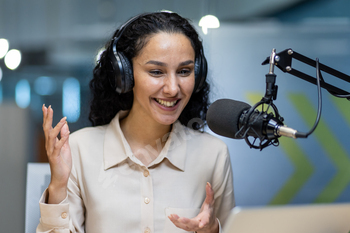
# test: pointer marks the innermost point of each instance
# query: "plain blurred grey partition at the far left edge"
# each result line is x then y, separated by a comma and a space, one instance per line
14, 155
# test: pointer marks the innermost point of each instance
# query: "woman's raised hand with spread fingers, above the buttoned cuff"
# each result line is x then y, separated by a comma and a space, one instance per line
58, 154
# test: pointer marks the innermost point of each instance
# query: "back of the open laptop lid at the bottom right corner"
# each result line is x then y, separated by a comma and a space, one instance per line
314, 218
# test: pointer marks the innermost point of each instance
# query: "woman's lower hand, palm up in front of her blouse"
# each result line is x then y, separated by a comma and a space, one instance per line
205, 221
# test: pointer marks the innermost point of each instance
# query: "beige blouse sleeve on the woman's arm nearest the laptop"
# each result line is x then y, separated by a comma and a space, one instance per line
223, 187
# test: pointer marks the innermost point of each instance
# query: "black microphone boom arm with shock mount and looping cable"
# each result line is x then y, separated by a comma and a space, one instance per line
267, 125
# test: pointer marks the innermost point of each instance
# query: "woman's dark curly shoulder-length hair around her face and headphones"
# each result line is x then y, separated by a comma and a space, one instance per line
106, 102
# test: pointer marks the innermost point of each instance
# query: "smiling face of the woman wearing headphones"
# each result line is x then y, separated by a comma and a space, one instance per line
164, 77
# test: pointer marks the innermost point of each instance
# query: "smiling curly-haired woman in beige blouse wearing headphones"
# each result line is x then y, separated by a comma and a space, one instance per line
144, 166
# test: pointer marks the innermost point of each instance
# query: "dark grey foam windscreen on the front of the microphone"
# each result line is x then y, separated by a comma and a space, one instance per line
223, 116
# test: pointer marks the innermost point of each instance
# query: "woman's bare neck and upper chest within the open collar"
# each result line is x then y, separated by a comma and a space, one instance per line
146, 138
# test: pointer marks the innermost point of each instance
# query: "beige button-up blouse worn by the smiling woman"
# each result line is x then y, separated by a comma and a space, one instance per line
110, 190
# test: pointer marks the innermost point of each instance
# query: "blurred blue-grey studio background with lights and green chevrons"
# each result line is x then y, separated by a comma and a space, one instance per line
58, 42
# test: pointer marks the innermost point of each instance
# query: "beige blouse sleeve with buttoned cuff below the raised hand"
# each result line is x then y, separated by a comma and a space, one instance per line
66, 217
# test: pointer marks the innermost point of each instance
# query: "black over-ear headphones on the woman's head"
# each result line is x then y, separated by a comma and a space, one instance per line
123, 80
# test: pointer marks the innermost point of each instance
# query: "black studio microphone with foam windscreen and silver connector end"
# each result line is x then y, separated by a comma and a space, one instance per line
236, 119
